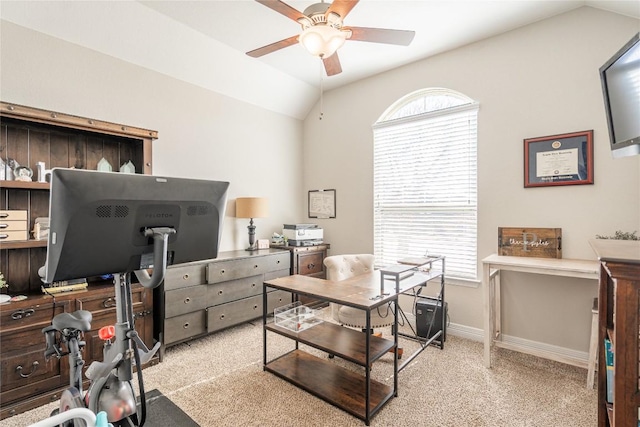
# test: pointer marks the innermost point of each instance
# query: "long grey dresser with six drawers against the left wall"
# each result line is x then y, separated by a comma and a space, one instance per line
203, 297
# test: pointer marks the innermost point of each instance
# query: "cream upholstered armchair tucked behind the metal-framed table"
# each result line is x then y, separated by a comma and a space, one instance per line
341, 267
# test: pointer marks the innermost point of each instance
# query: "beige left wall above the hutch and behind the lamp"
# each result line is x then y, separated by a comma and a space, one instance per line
202, 134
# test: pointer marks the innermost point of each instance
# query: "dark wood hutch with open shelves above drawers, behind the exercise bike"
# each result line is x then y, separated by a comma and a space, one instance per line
31, 135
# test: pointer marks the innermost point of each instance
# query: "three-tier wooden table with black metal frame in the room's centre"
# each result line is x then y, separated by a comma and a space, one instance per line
357, 394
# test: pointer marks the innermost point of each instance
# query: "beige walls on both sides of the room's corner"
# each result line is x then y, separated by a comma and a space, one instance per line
534, 81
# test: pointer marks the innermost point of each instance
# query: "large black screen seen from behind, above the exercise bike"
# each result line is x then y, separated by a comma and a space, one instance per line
98, 221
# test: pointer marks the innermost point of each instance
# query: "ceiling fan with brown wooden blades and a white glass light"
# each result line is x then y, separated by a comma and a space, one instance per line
323, 34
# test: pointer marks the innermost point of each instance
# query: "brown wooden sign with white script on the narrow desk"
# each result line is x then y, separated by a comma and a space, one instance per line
530, 242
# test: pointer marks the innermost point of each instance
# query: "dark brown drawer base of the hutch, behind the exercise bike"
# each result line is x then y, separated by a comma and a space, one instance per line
28, 380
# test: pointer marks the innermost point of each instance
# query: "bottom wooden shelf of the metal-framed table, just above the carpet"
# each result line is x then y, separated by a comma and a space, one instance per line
334, 384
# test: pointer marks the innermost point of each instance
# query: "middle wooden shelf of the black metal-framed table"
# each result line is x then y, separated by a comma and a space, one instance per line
348, 344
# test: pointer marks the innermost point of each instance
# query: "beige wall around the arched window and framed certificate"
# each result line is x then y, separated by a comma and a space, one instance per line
538, 80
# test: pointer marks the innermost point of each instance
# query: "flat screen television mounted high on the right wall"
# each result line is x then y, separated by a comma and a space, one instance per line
620, 77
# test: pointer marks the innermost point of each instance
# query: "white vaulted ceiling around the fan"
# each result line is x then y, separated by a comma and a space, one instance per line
204, 42
